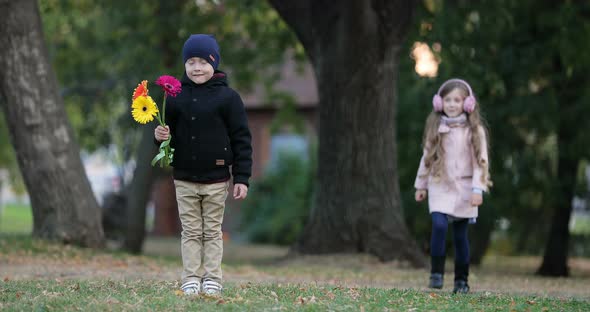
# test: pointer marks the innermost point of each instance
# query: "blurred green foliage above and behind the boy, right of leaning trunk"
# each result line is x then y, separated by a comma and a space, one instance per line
101, 51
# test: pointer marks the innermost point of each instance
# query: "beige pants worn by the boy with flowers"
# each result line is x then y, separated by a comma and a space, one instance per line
201, 208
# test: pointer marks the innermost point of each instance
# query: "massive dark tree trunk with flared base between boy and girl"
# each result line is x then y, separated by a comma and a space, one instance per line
354, 47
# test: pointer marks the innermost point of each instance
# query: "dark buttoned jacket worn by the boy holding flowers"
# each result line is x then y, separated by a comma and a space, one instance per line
210, 132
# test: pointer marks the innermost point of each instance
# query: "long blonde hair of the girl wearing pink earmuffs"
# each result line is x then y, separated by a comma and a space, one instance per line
432, 140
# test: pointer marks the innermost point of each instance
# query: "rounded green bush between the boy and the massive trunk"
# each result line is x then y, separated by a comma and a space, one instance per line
278, 204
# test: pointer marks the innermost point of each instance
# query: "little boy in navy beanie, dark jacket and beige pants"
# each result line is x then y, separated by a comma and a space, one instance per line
209, 129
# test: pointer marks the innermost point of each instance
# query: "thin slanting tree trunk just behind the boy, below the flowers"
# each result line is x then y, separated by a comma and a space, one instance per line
139, 190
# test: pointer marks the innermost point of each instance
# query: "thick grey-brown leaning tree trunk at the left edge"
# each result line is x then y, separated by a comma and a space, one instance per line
64, 207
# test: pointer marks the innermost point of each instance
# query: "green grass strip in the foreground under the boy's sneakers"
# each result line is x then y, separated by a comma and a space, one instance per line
102, 295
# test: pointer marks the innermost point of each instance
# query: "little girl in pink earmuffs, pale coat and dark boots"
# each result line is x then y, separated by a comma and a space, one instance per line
454, 171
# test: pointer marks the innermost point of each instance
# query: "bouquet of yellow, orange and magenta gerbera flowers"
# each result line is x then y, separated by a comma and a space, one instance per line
144, 109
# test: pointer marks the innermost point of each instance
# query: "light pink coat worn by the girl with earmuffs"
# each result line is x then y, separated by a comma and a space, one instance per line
452, 196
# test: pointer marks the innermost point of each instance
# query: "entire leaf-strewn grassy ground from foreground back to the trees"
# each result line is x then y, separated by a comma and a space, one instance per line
40, 276
